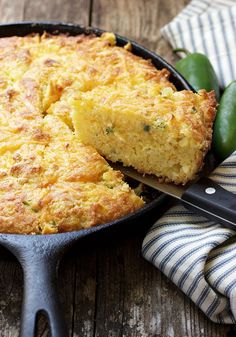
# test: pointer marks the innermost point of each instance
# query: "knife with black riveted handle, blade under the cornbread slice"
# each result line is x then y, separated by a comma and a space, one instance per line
204, 196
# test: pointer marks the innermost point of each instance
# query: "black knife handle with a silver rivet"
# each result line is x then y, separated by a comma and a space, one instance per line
212, 201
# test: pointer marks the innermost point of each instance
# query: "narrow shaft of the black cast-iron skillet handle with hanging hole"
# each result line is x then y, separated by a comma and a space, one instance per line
40, 294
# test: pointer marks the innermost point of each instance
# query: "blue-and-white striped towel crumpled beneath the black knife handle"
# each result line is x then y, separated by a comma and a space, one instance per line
198, 255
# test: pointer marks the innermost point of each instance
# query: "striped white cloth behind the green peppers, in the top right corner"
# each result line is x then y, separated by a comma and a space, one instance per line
208, 27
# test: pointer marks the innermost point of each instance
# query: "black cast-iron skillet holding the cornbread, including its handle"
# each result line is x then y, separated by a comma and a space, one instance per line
39, 255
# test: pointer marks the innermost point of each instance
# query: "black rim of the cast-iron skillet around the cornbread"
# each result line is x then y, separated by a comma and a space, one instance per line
54, 27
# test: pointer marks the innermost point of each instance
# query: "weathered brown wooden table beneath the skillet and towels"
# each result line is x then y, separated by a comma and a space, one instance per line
107, 288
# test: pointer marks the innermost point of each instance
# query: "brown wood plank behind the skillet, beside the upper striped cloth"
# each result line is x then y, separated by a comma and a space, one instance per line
138, 20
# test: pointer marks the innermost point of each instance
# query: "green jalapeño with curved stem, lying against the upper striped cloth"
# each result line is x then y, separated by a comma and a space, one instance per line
198, 71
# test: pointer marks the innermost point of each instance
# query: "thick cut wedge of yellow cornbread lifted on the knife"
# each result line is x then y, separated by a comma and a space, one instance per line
166, 134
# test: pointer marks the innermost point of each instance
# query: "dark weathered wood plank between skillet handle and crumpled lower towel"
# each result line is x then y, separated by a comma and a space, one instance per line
136, 300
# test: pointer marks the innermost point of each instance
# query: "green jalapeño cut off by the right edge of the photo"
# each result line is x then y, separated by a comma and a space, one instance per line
224, 133
